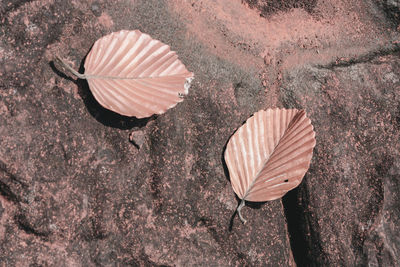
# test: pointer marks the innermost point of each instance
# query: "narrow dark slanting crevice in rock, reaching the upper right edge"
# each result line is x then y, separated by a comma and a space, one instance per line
368, 57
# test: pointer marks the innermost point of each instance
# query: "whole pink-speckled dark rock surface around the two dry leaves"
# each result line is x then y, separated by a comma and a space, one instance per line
82, 186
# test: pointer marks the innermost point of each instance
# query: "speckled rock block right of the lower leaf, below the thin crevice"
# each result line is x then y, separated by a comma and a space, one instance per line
349, 201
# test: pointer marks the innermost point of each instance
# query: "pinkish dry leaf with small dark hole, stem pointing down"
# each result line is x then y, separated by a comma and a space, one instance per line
270, 154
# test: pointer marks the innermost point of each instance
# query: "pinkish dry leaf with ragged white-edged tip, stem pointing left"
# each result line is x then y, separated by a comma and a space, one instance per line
134, 75
